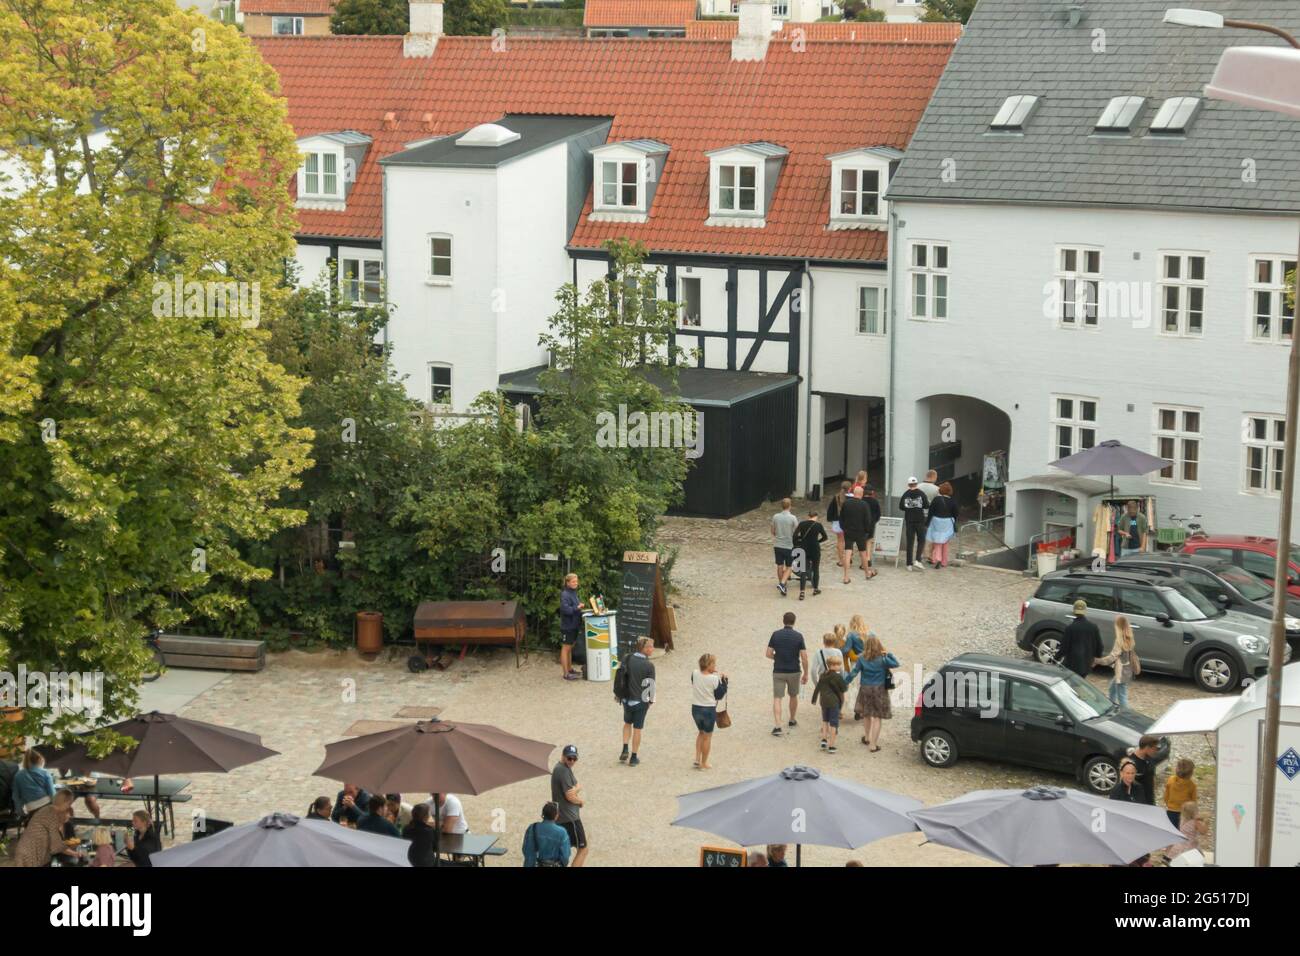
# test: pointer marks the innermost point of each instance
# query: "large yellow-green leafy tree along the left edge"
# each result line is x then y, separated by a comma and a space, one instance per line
142, 435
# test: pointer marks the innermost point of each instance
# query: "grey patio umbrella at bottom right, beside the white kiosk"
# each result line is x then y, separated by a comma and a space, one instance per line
1047, 825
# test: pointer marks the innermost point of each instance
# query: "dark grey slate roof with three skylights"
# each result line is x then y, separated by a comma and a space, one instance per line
1028, 47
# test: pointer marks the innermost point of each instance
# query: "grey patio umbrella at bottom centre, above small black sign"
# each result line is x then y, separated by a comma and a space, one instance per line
798, 806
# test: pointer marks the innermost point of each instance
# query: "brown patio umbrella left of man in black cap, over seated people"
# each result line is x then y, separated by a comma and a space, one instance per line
437, 758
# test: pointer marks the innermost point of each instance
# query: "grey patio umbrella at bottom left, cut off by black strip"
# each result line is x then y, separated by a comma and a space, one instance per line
283, 840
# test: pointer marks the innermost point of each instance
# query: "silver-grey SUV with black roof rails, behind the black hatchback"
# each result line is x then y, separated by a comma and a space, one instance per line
1178, 630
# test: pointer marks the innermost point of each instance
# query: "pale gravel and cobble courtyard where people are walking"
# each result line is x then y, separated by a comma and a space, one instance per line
729, 605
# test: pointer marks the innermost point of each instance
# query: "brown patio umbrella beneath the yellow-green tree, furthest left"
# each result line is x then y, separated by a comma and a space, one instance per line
167, 745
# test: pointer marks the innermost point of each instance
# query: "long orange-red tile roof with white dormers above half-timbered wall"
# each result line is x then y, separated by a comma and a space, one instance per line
690, 94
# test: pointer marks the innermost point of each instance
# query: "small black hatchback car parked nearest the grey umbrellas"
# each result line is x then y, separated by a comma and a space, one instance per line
1024, 712
